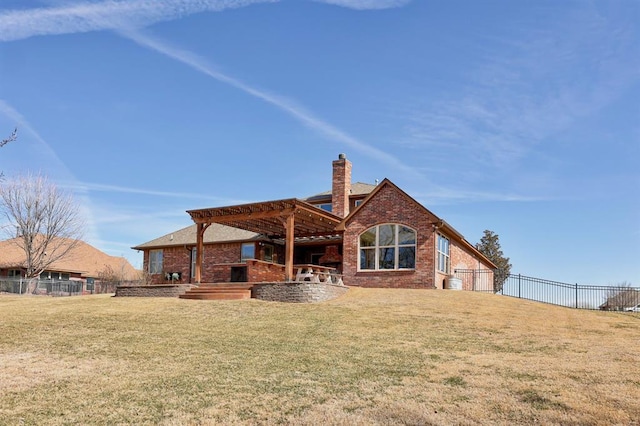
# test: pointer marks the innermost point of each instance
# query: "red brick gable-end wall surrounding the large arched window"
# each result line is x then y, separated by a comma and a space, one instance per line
389, 205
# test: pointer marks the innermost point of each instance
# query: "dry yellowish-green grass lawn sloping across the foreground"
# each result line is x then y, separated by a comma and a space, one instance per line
419, 357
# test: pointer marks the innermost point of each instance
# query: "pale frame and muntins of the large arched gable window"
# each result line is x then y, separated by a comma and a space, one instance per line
376, 248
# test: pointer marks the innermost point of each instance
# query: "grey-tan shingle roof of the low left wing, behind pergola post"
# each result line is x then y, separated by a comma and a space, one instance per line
216, 233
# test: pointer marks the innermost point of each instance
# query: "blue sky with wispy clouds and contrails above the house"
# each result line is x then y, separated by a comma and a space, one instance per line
518, 117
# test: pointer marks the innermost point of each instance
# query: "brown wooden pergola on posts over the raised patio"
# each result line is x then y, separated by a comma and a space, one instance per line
284, 219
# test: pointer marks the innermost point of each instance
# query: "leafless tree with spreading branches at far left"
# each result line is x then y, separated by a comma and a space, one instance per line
44, 221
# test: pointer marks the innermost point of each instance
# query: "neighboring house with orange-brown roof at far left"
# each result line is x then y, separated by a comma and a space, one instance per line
84, 263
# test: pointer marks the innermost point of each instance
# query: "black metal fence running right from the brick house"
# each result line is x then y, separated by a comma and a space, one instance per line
610, 298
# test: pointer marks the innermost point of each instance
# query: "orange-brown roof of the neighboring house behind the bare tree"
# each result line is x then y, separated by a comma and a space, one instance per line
83, 258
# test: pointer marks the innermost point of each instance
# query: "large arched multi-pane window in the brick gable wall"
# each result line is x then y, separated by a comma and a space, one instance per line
388, 247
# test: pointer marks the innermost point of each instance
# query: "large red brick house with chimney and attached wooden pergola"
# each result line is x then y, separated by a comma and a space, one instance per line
374, 235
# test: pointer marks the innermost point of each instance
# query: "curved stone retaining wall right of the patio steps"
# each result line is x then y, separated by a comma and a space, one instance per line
297, 292
